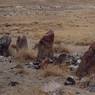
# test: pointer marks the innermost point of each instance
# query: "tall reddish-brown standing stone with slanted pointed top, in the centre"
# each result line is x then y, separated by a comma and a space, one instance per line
45, 47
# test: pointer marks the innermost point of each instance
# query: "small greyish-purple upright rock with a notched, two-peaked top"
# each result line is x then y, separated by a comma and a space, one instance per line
21, 43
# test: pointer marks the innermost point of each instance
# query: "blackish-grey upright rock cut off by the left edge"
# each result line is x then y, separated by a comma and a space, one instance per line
5, 42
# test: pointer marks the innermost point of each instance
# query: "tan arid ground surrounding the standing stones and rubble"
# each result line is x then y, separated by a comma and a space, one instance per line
73, 22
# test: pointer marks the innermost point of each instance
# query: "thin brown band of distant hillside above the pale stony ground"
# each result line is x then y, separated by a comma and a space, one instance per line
30, 2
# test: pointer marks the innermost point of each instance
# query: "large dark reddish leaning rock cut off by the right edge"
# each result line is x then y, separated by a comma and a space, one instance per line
87, 65
